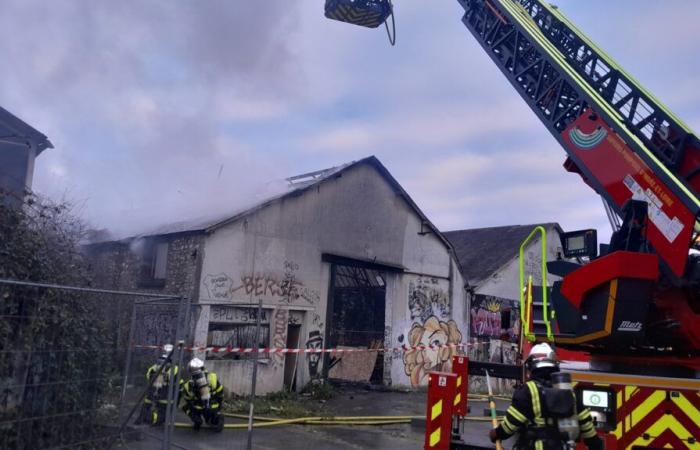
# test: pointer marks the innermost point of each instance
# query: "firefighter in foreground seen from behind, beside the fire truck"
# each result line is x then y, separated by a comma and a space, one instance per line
530, 414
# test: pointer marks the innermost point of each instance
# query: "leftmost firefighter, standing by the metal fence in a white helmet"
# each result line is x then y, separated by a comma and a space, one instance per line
156, 401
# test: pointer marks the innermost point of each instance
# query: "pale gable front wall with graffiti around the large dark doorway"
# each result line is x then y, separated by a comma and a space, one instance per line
356, 215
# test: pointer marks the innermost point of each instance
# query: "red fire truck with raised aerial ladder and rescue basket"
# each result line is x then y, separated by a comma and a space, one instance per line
627, 312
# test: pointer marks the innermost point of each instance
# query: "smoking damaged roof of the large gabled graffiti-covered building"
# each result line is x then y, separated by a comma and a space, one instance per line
295, 185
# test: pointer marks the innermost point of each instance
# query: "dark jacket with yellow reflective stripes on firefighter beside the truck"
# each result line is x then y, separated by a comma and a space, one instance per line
528, 418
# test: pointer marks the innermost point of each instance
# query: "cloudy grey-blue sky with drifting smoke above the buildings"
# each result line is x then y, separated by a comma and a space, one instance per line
161, 110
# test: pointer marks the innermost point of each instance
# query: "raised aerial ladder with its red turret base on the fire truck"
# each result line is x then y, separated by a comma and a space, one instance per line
642, 292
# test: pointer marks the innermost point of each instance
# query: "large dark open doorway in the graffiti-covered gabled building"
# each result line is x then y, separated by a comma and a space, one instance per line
356, 312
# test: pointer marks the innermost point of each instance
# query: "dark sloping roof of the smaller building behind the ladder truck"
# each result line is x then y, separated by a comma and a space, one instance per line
483, 251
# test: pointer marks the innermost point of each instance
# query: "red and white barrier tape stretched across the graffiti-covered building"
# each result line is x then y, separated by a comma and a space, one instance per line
230, 349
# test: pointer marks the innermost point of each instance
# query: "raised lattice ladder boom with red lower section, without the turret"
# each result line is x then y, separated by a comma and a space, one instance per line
622, 142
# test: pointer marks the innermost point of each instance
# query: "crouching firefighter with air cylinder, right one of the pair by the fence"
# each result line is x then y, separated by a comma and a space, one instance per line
203, 397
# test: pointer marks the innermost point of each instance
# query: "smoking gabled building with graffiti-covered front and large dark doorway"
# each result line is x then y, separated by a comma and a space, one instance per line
342, 258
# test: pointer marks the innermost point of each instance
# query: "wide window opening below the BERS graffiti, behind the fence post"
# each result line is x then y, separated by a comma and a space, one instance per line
235, 327
